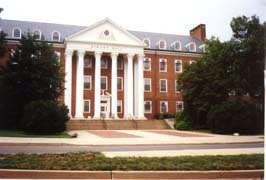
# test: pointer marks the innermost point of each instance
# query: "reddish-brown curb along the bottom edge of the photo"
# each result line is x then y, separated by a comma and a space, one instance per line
66, 174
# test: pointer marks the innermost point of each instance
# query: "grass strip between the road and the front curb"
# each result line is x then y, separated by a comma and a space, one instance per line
97, 161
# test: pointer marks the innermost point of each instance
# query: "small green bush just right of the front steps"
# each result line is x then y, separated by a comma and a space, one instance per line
182, 122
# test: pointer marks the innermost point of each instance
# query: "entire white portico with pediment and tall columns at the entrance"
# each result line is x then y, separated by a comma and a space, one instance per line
100, 40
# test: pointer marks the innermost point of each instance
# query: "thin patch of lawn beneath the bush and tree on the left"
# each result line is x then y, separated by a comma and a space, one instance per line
14, 133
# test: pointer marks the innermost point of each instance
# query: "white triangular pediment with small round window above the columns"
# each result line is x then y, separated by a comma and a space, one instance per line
105, 32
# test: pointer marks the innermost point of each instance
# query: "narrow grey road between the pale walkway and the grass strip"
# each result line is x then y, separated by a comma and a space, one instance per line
104, 148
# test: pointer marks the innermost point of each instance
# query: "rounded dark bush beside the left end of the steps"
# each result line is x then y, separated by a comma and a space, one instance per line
44, 117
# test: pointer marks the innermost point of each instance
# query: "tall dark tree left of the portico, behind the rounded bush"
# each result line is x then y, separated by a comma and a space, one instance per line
32, 73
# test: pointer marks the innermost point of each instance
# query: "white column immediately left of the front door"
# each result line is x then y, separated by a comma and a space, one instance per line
97, 83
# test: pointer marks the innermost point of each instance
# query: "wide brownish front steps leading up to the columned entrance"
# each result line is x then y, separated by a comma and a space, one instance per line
116, 124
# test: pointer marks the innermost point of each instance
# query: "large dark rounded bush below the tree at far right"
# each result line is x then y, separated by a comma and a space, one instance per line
235, 116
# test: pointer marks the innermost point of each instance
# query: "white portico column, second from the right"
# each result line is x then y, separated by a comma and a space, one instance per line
129, 92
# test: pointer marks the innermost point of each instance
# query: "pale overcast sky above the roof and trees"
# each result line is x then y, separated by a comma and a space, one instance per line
165, 16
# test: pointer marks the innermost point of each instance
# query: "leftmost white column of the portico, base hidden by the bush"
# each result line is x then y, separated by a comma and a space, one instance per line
68, 79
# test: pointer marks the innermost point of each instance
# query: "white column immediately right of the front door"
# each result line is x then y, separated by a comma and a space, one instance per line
114, 84
